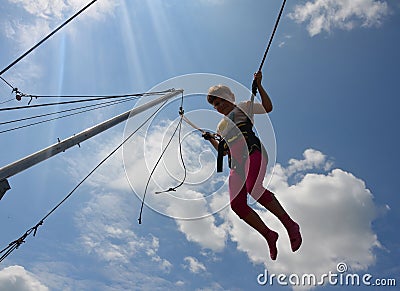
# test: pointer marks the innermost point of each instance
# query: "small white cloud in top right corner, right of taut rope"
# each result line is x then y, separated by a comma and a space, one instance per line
326, 15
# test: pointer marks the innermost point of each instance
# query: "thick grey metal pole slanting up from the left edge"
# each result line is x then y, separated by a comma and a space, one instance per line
35, 158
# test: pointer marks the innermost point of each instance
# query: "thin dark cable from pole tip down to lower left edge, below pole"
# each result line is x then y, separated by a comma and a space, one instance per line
15, 244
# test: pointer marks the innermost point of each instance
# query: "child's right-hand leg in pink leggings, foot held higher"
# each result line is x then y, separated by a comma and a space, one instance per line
256, 172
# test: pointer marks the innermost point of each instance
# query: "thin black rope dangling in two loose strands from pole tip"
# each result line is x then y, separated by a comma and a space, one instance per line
179, 126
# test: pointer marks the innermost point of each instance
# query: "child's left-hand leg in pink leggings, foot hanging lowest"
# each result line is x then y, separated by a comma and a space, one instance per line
238, 195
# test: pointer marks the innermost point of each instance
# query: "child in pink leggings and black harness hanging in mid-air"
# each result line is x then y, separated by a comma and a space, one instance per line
248, 163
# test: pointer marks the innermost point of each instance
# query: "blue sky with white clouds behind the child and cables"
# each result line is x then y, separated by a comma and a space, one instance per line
332, 74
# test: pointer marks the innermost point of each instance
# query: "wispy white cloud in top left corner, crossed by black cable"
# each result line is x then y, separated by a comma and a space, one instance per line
24, 31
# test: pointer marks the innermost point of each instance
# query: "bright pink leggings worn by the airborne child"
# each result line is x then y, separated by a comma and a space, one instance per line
248, 180
